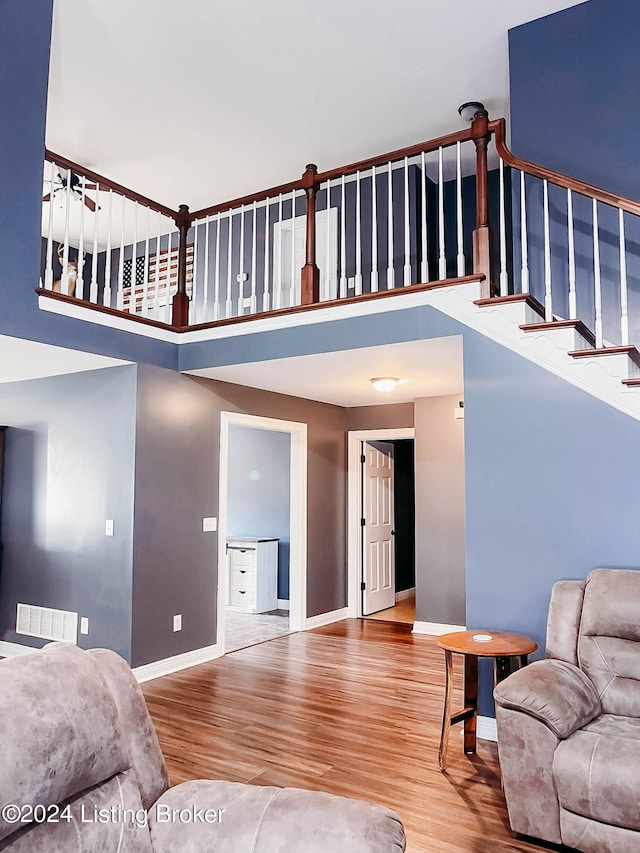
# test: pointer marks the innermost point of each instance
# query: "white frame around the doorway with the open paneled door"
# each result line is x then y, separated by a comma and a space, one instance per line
354, 508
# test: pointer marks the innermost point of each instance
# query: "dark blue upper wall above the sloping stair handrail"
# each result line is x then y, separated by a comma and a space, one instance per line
574, 93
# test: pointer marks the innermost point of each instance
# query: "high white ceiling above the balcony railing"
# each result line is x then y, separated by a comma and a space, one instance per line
203, 101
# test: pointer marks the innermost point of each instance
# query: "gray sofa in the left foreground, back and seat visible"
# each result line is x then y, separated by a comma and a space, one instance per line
83, 772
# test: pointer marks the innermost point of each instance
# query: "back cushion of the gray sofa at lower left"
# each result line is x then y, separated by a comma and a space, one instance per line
66, 736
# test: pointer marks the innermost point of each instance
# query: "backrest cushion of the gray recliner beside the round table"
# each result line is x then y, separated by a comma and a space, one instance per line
609, 642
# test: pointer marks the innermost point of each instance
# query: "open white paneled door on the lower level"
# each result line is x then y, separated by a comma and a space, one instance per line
378, 551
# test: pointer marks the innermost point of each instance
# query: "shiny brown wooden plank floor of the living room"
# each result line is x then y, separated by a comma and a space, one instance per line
353, 708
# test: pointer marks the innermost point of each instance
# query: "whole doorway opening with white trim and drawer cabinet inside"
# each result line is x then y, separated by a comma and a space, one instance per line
262, 529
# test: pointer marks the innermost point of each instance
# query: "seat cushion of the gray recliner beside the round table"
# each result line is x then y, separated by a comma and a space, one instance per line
596, 771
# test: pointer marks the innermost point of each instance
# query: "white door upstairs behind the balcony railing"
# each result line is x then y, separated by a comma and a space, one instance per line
287, 269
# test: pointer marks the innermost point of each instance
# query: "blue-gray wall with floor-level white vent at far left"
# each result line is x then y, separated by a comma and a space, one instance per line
69, 467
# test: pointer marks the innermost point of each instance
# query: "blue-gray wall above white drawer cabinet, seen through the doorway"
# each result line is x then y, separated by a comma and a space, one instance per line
258, 492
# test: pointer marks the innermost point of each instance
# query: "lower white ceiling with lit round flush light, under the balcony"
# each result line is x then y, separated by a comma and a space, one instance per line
425, 368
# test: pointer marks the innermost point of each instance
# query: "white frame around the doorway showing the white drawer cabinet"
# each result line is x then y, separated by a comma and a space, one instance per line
297, 514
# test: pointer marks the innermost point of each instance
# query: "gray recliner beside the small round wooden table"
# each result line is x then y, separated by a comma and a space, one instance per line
569, 726
